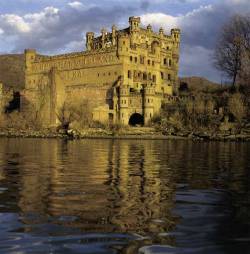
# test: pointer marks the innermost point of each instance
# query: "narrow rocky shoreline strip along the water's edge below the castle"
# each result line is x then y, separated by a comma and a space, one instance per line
146, 133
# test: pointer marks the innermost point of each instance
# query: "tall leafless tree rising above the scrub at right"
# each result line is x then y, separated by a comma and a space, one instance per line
232, 46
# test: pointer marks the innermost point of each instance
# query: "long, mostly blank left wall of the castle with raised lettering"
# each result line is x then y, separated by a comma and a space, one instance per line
86, 75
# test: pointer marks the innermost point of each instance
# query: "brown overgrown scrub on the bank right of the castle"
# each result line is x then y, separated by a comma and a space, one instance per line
204, 113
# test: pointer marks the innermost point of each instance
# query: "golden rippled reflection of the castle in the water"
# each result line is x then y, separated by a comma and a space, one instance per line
110, 187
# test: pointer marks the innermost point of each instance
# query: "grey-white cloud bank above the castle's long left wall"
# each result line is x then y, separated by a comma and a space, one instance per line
54, 30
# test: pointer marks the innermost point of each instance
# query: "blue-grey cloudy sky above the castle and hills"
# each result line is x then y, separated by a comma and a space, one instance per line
59, 26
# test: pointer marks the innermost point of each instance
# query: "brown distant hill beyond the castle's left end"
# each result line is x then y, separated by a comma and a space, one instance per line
12, 70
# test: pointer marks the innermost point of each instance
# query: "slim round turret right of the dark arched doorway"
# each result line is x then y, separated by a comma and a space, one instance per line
149, 97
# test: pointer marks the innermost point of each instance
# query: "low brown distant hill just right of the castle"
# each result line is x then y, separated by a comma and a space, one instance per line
197, 84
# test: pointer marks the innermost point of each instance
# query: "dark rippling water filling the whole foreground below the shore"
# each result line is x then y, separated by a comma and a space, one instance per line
124, 196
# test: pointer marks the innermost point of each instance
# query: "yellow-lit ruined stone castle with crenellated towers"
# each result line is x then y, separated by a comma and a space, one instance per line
124, 74
